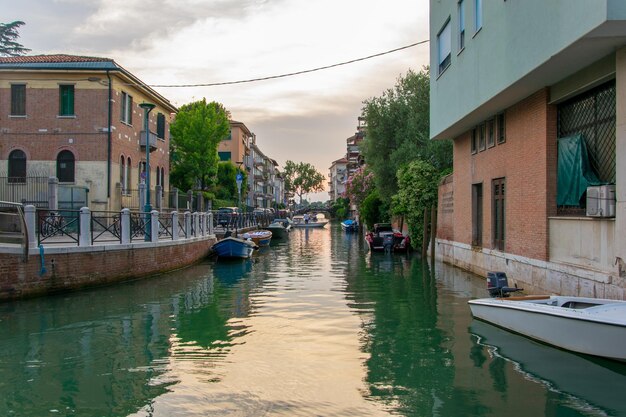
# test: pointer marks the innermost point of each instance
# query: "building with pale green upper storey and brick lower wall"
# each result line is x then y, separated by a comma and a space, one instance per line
515, 85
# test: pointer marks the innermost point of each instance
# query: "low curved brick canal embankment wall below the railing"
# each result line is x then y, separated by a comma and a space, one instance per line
72, 270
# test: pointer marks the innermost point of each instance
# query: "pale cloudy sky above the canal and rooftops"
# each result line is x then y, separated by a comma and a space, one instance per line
304, 118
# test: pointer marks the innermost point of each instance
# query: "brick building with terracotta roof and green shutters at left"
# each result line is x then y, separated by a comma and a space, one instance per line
78, 118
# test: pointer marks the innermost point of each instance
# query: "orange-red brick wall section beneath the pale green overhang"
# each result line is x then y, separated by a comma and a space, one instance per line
528, 162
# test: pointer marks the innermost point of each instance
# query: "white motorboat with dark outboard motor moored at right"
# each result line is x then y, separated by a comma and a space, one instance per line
593, 326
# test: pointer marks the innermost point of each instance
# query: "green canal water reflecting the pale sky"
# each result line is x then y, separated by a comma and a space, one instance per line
313, 326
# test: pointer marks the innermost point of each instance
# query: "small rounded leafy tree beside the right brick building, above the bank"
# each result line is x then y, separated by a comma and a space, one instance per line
417, 190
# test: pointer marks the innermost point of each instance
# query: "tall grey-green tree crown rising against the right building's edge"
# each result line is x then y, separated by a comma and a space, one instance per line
398, 131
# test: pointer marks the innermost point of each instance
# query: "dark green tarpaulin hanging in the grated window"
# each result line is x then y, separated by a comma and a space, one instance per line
574, 174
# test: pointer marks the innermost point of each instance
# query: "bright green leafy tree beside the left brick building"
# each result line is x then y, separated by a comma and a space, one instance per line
198, 129
